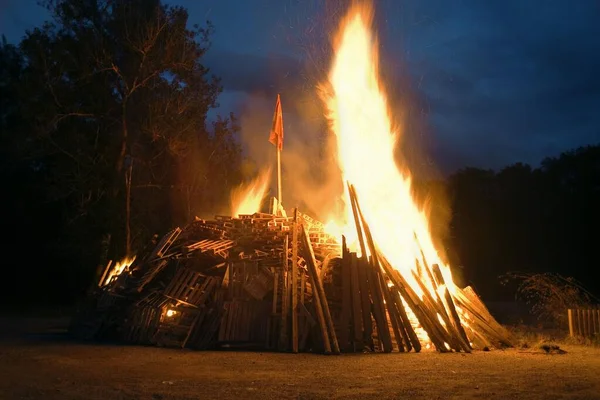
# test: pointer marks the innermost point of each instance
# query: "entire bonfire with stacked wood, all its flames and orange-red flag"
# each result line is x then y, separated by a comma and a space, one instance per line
370, 278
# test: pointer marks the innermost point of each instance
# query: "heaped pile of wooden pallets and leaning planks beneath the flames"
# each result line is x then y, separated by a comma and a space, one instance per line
281, 283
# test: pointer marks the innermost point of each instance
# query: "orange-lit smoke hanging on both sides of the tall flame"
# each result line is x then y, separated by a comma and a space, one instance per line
311, 179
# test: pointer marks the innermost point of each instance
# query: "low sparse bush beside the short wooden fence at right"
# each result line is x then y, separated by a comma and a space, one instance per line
550, 295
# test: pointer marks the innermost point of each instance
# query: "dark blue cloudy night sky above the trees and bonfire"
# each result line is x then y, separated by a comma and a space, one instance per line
495, 82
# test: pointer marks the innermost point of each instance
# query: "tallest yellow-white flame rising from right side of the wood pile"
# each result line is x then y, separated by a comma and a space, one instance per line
358, 112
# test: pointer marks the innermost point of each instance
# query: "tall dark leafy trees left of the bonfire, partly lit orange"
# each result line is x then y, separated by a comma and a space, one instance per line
104, 138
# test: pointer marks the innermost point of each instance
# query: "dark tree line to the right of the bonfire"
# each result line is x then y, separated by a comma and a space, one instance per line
527, 219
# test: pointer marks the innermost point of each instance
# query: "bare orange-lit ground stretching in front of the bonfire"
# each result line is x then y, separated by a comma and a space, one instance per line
37, 361
